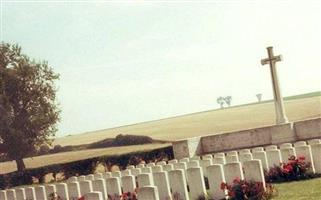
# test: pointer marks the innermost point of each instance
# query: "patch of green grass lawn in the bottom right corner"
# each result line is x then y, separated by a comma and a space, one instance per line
299, 190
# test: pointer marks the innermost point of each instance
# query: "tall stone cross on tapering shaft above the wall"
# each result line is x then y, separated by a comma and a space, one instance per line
278, 99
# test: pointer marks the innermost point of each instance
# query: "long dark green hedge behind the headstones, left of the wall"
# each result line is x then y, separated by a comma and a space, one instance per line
83, 167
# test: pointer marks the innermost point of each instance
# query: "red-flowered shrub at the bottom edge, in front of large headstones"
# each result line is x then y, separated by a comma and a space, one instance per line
243, 190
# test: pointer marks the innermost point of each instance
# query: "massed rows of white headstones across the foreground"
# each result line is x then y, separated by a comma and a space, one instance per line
167, 180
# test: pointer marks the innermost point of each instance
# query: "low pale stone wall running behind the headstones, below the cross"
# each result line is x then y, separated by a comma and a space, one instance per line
276, 134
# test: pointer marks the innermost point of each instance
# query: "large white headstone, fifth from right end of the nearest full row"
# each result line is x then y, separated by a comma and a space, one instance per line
177, 182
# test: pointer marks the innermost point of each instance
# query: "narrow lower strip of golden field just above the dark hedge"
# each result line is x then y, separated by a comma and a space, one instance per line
66, 157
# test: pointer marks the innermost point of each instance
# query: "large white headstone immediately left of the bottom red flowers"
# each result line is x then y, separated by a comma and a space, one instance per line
216, 177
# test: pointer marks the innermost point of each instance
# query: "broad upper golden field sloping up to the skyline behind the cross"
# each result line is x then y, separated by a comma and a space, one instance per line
209, 122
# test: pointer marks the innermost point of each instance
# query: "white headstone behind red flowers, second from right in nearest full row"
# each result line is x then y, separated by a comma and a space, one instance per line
232, 171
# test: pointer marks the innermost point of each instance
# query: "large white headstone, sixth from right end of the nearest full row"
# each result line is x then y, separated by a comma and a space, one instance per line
162, 183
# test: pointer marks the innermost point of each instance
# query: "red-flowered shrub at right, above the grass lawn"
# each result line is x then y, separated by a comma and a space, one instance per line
294, 169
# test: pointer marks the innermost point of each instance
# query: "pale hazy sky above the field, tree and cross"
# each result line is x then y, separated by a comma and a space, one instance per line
123, 62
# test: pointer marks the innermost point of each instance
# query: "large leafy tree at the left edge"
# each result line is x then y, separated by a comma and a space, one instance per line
28, 108
